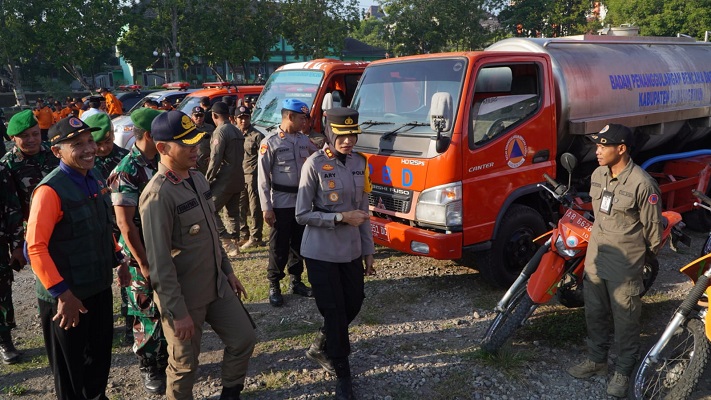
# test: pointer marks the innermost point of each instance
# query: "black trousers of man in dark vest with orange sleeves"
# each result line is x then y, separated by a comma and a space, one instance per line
80, 358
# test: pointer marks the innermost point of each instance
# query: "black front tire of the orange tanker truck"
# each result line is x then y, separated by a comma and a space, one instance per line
513, 246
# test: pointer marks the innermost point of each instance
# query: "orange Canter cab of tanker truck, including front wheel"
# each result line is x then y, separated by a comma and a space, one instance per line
456, 144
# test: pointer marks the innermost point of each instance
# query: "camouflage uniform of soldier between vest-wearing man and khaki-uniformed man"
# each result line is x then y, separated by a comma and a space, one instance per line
127, 182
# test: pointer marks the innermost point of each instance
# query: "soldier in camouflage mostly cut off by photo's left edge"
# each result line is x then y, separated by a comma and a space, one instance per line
11, 237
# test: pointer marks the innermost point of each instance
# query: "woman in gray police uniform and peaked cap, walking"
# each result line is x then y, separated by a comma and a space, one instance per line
337, 243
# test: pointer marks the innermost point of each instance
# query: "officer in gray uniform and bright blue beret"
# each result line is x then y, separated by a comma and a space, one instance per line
281, 156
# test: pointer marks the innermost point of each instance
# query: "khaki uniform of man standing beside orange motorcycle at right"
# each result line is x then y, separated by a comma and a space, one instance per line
615, 258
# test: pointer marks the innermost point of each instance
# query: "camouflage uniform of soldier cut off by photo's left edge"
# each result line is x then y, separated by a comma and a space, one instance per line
11, 237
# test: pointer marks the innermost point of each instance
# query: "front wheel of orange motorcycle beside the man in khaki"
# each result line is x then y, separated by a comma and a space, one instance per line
507, 322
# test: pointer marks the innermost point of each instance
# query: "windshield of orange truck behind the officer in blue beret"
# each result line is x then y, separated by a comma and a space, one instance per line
282, 85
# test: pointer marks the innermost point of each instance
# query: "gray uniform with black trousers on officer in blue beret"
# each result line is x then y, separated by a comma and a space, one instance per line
281, 157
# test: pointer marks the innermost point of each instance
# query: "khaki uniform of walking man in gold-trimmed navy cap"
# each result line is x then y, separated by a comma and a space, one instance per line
189, 269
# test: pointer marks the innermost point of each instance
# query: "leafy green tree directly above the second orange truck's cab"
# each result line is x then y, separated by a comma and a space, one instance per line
318, 27
